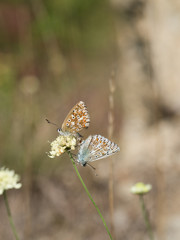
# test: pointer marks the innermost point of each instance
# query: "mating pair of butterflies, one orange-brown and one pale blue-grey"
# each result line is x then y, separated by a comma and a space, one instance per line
94, 147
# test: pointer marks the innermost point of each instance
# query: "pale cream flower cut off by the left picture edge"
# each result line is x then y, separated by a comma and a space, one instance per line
8, 180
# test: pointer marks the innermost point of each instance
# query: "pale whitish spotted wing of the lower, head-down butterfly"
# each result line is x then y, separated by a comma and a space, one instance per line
100, 147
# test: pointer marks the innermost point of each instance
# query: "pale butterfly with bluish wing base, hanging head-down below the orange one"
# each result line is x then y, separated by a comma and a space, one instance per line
94, 148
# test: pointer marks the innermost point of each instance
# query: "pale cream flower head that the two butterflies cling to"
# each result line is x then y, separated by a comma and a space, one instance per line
62, 144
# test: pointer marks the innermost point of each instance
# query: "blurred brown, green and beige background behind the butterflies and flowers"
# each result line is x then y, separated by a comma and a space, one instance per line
122, 58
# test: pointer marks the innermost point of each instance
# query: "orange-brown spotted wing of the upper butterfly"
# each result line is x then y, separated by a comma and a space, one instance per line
77, 119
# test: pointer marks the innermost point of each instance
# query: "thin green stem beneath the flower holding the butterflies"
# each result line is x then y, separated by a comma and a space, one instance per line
89, 195
